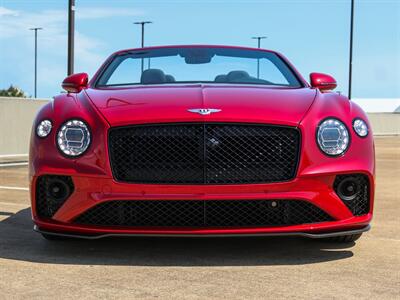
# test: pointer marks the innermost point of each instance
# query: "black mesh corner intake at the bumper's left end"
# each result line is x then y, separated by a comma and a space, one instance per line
46, 204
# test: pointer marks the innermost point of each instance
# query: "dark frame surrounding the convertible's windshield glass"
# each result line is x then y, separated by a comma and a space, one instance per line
94, 83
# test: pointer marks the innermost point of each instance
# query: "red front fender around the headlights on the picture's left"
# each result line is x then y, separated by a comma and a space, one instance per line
44, 155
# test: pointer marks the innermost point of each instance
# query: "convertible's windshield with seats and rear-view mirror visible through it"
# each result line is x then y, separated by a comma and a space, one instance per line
197, 65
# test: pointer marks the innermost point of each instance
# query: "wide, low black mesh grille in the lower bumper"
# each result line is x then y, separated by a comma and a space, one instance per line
196, 213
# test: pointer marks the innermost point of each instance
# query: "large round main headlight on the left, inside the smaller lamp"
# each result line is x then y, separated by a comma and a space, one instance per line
73, 138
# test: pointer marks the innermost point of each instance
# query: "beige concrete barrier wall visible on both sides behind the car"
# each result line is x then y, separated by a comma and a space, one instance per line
17, 114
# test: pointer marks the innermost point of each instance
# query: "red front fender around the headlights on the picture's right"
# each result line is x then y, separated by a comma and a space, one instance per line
360, 156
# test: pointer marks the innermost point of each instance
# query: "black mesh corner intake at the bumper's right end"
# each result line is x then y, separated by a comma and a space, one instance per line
360, 205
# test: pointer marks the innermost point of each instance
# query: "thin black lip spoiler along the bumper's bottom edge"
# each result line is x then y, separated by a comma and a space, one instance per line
303, 234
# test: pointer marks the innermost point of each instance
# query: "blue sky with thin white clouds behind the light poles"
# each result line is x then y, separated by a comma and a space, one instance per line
312, 34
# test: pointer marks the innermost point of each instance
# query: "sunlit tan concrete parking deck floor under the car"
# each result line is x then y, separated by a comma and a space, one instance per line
231, 268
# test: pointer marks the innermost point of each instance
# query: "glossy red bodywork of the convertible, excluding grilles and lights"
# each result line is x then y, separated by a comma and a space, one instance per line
102, 109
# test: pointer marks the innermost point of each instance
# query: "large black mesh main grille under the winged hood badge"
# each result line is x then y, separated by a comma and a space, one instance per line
204, 153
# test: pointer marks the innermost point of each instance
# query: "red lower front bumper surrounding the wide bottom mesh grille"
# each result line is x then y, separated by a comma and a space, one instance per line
92, 190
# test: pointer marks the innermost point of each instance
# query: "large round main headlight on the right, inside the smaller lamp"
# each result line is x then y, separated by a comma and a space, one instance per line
333, 137
